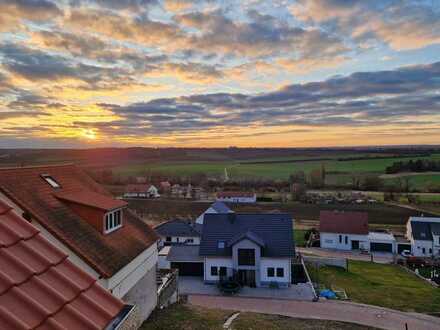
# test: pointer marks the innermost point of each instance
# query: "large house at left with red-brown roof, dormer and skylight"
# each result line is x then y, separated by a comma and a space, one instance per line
96, 231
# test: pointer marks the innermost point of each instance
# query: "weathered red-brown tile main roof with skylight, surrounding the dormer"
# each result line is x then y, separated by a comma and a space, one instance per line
107, 254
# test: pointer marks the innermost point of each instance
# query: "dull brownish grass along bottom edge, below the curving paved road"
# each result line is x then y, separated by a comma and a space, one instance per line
186, 317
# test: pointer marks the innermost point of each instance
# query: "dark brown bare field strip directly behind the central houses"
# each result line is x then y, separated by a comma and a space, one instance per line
156, 211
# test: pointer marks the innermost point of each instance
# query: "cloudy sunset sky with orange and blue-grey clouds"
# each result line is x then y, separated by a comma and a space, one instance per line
84, 73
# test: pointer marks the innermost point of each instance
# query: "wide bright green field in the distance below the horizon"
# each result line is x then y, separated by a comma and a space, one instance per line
340, 172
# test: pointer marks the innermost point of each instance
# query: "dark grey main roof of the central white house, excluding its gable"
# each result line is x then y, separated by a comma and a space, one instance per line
275, 231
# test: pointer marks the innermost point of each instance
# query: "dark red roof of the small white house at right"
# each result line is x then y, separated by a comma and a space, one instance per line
343, 222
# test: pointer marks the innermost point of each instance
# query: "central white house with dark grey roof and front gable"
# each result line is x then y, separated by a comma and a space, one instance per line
256, 249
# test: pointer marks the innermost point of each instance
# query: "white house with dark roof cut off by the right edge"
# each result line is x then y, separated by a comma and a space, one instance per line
423, 234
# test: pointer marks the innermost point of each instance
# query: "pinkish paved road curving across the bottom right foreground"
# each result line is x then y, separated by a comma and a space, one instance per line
325, 310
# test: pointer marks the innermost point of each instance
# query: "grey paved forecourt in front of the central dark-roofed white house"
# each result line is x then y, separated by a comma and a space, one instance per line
195, 285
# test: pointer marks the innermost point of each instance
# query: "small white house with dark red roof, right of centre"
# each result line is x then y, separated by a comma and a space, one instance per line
343, 230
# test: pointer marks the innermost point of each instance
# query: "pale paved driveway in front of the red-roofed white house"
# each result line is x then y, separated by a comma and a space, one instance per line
379, 257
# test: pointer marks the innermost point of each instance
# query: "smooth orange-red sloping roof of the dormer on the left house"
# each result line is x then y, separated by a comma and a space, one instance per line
89, 198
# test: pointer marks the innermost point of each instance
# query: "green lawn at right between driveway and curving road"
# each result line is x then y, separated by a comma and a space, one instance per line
383, 285
